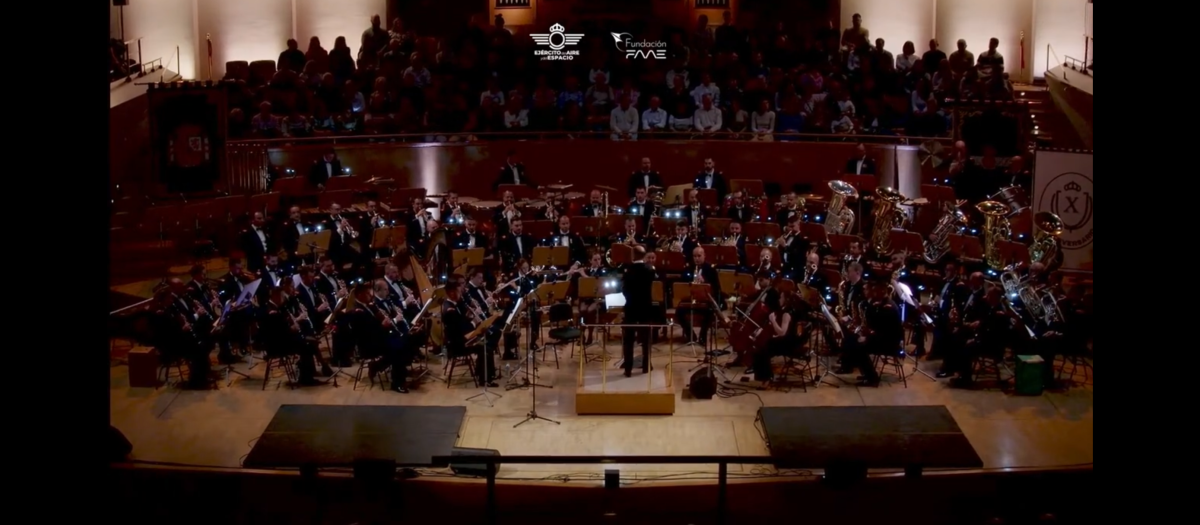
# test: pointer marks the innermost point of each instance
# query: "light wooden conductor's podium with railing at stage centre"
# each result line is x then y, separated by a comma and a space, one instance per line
604, 390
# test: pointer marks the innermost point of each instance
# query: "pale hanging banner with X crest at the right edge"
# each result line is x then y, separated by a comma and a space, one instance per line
1063, 185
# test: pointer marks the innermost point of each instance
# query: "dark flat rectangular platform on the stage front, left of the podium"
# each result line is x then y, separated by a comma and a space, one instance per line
327, 436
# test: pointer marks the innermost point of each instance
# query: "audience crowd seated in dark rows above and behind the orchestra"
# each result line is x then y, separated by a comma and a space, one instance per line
717, 82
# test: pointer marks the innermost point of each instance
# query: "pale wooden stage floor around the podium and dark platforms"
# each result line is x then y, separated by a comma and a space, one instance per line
218, 429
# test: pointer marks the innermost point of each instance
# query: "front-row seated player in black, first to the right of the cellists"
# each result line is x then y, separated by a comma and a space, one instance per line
880, 334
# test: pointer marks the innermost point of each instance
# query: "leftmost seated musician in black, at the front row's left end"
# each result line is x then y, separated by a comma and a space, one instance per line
175, 337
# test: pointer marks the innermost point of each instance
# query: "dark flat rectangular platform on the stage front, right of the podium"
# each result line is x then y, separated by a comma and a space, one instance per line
871, 437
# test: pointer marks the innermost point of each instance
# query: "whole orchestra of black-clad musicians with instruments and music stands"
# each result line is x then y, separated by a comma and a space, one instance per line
394, 306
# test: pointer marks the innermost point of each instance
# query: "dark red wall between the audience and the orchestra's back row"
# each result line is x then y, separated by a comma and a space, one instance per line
472, 168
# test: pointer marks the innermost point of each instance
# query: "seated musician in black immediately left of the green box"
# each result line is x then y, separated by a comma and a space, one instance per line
988, 330
